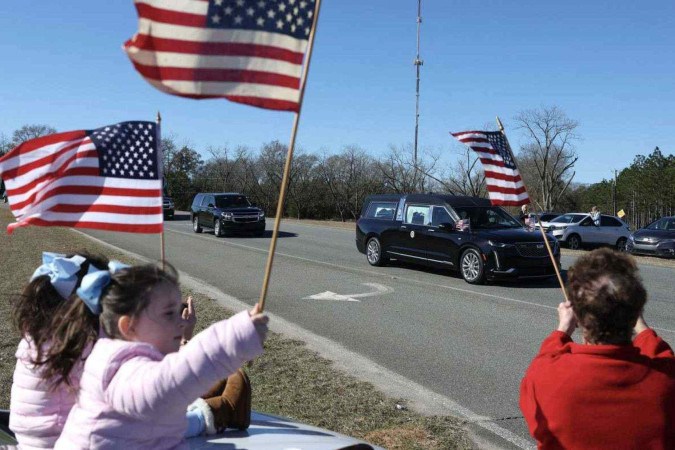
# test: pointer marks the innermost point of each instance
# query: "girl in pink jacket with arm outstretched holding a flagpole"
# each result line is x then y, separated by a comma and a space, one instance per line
136, 386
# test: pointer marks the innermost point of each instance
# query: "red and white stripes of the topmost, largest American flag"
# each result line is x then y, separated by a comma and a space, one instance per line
175, 52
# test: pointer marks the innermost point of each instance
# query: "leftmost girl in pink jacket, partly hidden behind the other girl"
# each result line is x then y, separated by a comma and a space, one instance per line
42, 398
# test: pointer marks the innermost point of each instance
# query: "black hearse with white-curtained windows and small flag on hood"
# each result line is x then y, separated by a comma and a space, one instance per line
467, 234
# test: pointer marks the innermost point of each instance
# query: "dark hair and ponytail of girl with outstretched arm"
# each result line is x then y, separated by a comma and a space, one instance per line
75, 328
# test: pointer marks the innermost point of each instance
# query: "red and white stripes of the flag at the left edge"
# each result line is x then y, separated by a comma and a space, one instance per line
54, 181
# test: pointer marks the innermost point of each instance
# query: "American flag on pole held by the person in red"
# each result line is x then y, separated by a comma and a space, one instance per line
505, 187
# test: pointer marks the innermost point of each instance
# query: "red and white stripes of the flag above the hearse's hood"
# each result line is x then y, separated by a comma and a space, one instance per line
505, 186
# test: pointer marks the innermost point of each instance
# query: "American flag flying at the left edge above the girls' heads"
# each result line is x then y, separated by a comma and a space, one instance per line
108, 178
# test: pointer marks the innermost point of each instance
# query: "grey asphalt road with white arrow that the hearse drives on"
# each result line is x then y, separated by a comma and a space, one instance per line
468, 343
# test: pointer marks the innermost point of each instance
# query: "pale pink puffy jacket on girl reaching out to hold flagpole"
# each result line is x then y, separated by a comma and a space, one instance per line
133, 397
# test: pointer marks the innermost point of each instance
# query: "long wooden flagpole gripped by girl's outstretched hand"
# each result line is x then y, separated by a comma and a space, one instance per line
289, 158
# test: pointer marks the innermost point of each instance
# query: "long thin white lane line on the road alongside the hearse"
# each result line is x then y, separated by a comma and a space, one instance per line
379, 274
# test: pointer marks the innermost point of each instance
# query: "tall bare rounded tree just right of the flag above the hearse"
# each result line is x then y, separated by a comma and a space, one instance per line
547, 158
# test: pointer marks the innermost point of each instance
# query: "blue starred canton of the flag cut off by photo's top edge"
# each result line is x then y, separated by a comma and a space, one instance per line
290, 17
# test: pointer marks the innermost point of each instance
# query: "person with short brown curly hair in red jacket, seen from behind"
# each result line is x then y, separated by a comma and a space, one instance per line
613, 391
